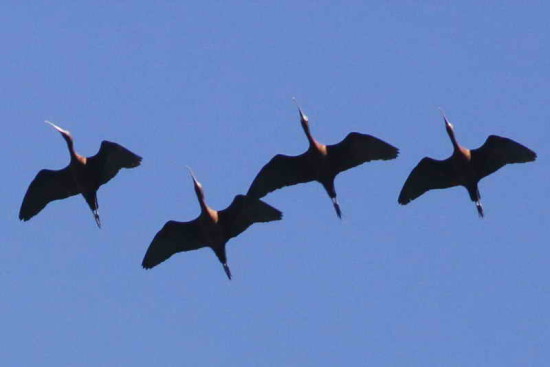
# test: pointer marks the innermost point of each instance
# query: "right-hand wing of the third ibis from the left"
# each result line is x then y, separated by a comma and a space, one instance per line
357, 149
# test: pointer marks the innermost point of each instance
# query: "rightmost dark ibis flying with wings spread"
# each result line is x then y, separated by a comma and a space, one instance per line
464, 167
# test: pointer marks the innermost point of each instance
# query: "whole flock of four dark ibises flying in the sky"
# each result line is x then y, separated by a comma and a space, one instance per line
213, 228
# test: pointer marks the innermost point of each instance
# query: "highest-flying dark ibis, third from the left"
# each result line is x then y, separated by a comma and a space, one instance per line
320, 163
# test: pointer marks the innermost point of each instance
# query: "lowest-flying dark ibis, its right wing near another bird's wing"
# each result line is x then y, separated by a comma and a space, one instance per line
211, 228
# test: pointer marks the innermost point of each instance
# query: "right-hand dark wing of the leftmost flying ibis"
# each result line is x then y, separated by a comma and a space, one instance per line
110, 158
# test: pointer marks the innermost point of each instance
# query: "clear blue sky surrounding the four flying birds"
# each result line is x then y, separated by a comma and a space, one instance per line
210, 86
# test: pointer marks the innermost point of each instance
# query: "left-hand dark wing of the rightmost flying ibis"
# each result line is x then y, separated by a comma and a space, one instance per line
429, 174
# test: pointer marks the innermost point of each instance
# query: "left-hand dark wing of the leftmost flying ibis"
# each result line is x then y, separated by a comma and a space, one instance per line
47, 186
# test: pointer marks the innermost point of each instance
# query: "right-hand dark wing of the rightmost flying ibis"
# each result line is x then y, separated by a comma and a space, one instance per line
497, 152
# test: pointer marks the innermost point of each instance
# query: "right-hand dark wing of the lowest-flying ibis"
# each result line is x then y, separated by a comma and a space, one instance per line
245, 211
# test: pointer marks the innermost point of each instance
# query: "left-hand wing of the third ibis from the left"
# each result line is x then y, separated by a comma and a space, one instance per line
280, 171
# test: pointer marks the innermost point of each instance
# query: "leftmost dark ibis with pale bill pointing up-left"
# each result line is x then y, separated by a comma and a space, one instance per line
83, 175
